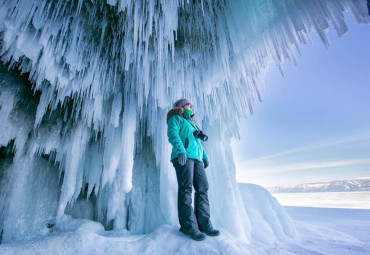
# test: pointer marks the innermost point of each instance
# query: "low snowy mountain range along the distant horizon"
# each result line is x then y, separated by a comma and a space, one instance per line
359, 184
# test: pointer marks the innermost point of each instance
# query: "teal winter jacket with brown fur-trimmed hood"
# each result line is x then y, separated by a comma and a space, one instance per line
180, 135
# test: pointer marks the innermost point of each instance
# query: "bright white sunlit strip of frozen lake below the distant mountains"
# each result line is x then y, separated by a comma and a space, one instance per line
355, 200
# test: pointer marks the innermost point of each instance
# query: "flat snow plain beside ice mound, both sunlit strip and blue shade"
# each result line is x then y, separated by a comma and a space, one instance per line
321, 216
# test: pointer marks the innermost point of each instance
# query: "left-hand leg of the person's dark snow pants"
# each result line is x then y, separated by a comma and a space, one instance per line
187, 219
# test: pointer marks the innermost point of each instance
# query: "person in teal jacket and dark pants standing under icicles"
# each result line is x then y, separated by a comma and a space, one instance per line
189, 159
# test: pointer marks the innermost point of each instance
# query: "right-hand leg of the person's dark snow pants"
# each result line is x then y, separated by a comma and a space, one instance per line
201, 203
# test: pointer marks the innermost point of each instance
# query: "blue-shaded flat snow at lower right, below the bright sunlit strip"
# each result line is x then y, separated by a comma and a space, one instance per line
331, 230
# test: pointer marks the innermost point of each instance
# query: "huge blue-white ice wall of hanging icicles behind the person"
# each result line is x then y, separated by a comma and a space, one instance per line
92, 140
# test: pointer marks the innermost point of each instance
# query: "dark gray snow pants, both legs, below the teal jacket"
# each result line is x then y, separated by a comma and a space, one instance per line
192, 173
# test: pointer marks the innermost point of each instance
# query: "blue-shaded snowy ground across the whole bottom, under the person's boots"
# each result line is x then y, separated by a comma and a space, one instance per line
318, 231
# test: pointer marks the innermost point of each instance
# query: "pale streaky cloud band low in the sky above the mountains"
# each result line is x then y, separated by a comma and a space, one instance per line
285, 168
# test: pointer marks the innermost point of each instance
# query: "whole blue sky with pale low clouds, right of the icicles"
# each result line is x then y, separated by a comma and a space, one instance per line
314, 123
